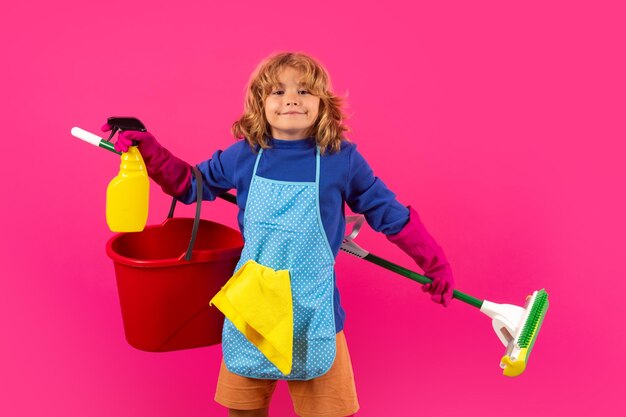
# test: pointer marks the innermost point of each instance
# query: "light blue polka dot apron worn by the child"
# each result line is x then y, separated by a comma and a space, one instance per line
283, 230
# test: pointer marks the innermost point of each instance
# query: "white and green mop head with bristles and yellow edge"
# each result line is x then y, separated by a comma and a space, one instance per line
518, 328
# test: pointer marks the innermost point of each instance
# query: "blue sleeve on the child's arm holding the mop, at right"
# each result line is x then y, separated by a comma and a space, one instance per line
368, 195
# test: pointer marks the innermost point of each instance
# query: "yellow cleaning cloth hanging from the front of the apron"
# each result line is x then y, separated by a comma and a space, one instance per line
257, 299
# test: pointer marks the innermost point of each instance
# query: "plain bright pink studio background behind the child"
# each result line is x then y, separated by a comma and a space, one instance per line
502, 123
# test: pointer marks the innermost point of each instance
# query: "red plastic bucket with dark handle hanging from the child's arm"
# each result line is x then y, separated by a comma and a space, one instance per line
165, 280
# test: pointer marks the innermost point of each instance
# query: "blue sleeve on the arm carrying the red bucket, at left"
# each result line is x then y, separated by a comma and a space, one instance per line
218, 175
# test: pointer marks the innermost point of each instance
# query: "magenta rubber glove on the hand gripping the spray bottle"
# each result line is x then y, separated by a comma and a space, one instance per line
171, 173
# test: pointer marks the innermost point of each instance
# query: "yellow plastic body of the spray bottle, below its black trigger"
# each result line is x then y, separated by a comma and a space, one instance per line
128, 194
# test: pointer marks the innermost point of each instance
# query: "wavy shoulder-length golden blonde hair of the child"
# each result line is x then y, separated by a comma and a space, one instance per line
328, 129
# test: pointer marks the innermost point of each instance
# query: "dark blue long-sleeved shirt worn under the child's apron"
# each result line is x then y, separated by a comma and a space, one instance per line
345, 177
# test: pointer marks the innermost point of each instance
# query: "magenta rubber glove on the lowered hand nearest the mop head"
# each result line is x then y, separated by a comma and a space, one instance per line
419, 245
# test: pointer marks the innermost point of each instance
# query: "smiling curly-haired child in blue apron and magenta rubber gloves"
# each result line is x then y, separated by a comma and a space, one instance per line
293, 174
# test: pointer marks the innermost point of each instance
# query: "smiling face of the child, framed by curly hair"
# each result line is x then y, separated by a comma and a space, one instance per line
290, 109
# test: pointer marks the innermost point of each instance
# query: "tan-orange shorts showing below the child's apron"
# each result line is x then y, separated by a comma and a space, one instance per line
330, 395
